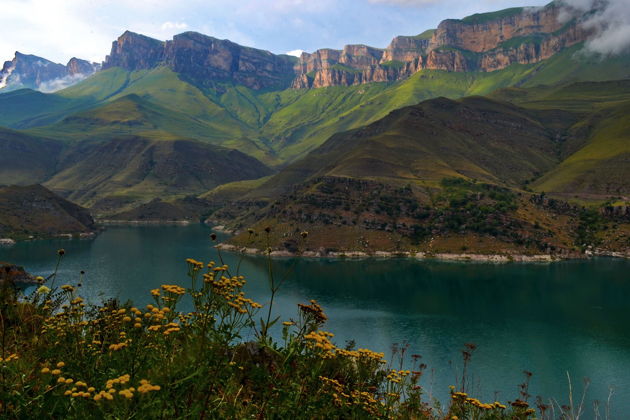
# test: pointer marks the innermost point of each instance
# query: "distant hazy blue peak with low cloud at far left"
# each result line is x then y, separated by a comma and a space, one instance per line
31, 71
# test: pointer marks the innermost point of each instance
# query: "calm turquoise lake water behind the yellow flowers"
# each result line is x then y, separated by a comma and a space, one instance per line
549, 319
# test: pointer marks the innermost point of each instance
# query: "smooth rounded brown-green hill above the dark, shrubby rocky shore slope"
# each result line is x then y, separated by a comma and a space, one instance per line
475, 138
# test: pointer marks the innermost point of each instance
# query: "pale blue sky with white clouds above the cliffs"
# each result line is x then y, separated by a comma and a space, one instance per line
61, 29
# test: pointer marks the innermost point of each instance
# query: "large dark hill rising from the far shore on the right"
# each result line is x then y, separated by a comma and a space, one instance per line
475, 171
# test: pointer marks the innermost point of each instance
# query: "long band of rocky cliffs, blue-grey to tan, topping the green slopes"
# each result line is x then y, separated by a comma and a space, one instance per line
482, 42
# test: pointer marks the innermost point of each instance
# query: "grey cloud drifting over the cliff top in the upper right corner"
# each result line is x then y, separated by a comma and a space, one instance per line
610, 21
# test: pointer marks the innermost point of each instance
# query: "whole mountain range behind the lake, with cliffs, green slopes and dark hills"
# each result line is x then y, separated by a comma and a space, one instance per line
206, 125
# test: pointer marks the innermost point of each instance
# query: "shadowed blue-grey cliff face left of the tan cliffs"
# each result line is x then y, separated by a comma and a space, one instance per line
203, 59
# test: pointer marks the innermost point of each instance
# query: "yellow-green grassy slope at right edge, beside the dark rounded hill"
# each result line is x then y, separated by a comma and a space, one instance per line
596, 149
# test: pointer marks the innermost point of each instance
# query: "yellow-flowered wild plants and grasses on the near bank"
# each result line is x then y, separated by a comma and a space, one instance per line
64, 358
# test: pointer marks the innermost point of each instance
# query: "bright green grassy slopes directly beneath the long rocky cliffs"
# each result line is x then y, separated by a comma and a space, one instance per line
280, 126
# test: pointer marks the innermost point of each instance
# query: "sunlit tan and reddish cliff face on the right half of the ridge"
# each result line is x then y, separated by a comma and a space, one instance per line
484, 42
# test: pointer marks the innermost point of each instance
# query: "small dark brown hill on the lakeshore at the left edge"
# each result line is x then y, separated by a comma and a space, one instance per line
35, 211
